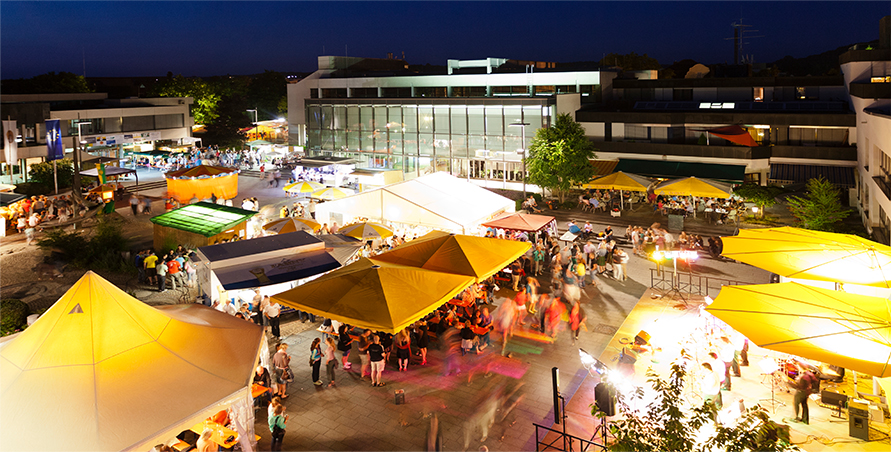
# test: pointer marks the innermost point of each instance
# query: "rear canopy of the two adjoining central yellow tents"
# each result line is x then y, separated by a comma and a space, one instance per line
479, 257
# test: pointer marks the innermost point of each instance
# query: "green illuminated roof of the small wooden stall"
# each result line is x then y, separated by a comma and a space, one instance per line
203, 218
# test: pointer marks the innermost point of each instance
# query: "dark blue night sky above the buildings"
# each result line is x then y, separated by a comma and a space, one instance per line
213, 38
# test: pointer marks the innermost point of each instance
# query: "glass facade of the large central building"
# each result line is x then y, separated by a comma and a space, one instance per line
470, 138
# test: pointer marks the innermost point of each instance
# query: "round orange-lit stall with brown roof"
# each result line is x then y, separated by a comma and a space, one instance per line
202, 182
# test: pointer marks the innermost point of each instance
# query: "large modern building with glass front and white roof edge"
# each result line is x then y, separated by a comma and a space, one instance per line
459, 120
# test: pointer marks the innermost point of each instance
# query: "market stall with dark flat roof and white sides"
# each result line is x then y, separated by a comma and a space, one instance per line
230, 271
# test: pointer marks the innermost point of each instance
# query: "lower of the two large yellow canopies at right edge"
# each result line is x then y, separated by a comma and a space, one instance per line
848, 330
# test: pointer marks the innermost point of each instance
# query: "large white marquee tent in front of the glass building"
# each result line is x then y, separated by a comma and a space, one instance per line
439, 201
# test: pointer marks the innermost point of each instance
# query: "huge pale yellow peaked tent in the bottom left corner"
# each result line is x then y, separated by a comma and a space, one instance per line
101, 370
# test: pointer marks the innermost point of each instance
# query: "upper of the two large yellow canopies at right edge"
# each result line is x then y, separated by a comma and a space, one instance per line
806, 254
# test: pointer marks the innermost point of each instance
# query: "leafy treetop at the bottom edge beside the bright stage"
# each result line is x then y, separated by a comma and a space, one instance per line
665, 424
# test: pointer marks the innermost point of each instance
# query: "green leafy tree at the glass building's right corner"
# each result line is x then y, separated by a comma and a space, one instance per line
559, 157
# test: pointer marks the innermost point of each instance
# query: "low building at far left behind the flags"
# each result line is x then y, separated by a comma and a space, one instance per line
110, 127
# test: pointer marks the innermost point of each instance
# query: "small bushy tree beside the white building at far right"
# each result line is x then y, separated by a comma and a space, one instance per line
821, 208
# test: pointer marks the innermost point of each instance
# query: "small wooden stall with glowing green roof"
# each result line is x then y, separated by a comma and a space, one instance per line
199, 224
